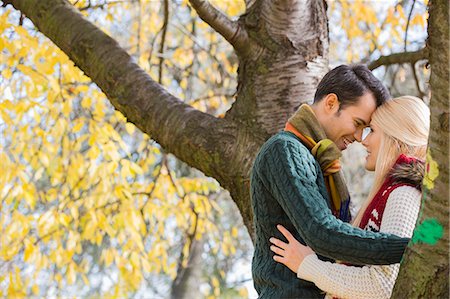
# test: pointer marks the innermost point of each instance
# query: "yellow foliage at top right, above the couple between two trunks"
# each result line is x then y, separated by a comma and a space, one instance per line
370, 26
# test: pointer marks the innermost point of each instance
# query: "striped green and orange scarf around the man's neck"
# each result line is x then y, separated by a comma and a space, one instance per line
305, 126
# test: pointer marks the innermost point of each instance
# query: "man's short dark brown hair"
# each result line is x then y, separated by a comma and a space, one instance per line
349, 82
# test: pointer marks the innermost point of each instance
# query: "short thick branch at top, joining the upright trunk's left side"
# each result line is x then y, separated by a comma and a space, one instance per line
233, 32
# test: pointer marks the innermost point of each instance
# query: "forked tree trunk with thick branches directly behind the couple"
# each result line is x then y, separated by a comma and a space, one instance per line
283, 51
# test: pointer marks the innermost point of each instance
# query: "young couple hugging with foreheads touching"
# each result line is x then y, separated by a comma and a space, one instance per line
306, 244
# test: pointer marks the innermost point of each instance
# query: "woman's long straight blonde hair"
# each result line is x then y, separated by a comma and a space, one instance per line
404, 123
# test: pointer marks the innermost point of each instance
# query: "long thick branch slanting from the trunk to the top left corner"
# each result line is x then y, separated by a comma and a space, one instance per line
217, 147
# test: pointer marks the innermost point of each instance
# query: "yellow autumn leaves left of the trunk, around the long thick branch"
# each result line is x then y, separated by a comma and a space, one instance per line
73, 185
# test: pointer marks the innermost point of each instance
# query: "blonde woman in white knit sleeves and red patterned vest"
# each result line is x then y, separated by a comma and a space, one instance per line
396, 147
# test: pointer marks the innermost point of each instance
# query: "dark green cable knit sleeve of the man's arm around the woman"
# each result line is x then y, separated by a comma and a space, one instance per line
289, 175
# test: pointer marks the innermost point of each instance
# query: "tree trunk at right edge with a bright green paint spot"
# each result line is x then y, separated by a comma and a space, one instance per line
424, 271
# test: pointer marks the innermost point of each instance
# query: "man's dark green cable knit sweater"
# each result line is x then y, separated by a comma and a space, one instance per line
287, 187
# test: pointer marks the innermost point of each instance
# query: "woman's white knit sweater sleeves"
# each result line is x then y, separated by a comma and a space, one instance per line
367, 282
